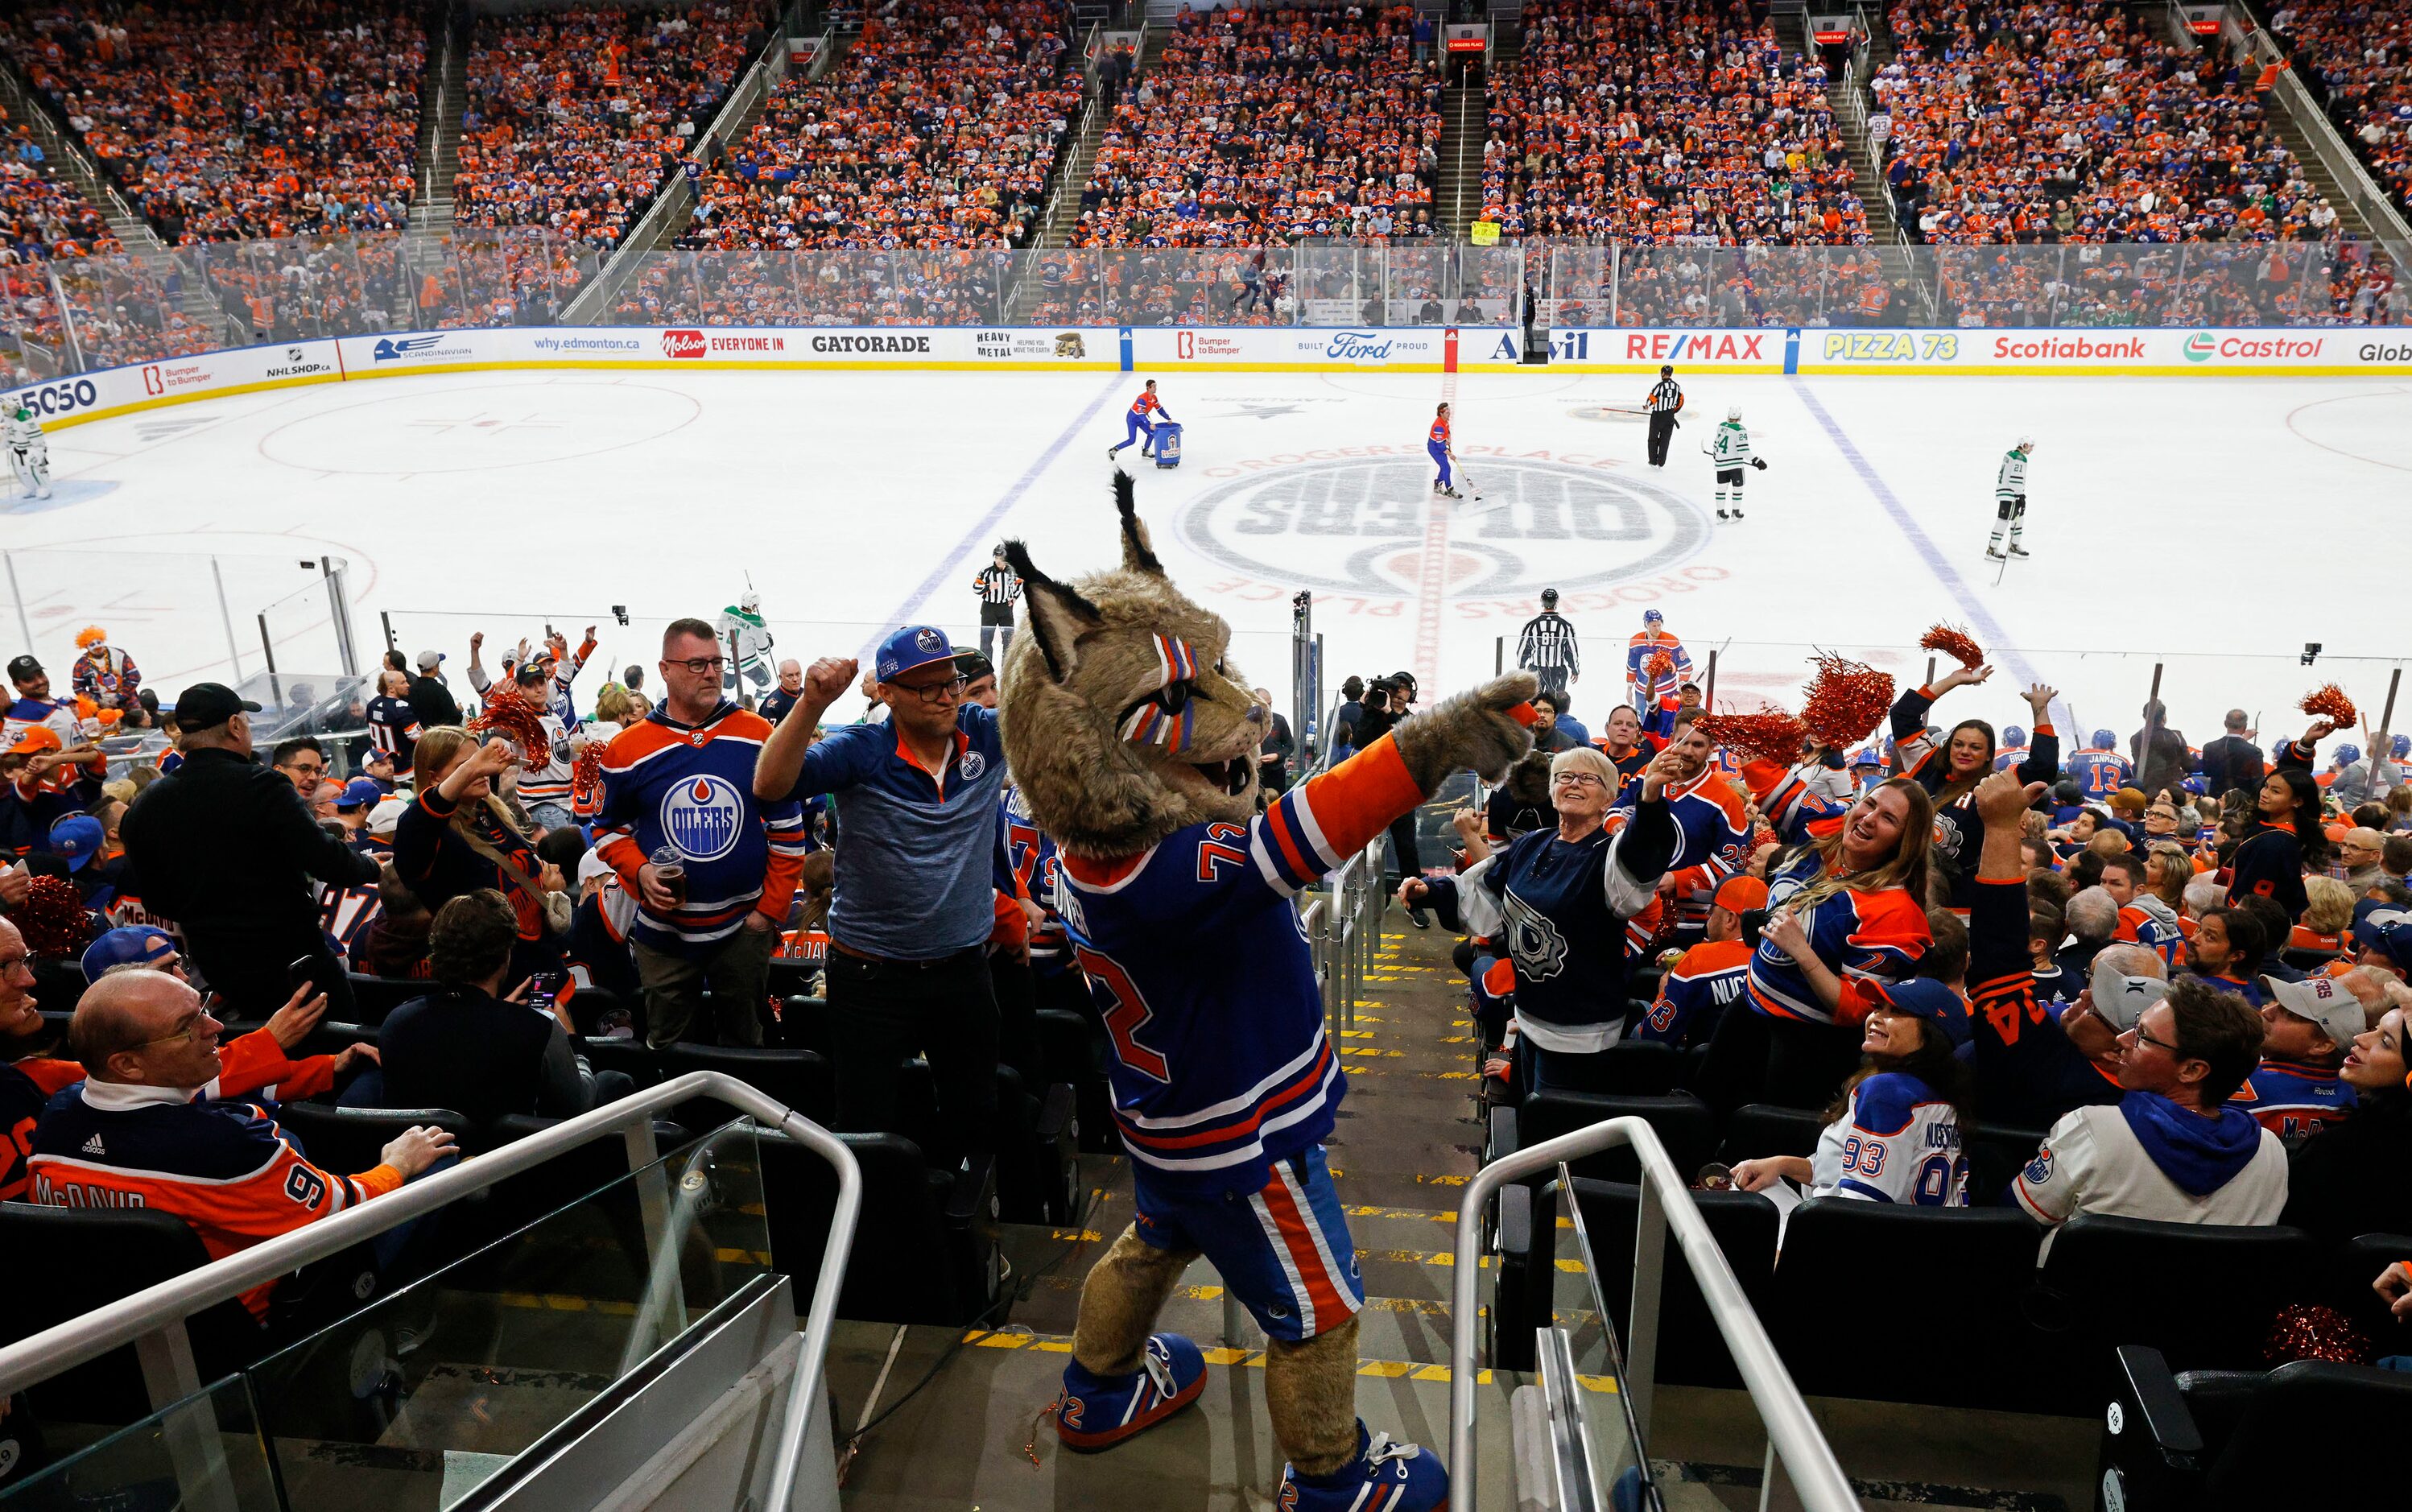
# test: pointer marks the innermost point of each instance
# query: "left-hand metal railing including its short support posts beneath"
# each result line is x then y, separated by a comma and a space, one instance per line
156, 1320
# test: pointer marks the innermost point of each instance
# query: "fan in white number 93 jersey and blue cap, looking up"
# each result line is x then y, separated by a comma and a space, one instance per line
1897, 1135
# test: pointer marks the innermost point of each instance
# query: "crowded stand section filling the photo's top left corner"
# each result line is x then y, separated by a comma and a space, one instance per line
223, 119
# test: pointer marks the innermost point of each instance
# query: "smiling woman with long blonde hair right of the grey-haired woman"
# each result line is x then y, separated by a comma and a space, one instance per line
1846, 915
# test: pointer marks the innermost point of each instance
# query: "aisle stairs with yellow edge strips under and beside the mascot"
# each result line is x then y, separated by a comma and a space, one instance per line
1405, 1147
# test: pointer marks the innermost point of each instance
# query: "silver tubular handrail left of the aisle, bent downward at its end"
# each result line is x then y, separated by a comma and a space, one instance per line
163, 1308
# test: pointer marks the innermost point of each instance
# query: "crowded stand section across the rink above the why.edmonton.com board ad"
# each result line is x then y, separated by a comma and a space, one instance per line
575, 117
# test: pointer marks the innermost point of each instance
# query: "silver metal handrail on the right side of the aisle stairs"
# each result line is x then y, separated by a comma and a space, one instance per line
1665, 1202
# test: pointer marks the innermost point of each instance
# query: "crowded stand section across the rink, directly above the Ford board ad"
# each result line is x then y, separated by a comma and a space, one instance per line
1268, 124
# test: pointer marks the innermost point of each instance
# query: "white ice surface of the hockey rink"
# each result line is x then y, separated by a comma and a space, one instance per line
2208, 524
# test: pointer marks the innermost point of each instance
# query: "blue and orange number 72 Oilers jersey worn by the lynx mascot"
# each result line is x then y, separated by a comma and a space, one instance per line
1202, 973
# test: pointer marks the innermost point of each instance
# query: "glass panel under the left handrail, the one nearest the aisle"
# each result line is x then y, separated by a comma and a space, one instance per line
428, 1393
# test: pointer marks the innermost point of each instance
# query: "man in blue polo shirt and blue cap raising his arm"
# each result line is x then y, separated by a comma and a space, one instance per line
915, 889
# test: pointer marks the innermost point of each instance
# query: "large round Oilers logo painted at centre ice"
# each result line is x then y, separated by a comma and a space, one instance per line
1366, 527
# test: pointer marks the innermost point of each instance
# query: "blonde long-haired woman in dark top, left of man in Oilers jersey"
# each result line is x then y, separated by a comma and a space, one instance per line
459, 836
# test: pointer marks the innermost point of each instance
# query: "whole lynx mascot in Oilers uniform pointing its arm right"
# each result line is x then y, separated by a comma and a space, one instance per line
1137, 751
